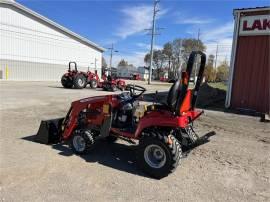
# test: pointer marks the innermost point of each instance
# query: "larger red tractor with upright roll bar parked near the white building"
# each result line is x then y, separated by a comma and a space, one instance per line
77, 79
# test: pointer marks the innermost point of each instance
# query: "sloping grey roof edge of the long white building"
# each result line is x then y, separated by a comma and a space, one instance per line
53, 24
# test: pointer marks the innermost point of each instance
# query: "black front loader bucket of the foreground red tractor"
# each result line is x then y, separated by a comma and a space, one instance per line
49, 131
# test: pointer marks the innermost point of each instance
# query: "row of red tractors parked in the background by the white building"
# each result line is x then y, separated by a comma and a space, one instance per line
79, 79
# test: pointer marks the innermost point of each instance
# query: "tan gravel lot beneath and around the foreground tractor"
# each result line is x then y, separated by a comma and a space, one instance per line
233, 166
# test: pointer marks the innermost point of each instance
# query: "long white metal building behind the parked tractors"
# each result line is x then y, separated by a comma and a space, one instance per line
35, 48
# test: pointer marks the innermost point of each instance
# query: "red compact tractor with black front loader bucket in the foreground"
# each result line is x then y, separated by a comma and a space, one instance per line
161, 129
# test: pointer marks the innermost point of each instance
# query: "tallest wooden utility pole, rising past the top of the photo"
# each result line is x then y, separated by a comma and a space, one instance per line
153, 32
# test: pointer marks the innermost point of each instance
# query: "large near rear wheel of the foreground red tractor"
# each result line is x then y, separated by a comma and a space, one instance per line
158, 154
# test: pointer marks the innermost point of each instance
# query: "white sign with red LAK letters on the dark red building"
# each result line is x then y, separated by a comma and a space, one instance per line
255, 25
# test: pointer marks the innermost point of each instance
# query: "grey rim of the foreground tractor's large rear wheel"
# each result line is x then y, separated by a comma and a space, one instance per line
154, 156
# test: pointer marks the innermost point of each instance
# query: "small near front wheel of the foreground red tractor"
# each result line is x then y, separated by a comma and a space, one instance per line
82, 141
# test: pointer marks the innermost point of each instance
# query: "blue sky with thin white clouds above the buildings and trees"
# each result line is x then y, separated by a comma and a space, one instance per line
124, 22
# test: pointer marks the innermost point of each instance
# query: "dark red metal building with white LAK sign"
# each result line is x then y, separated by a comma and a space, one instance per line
249, 85
